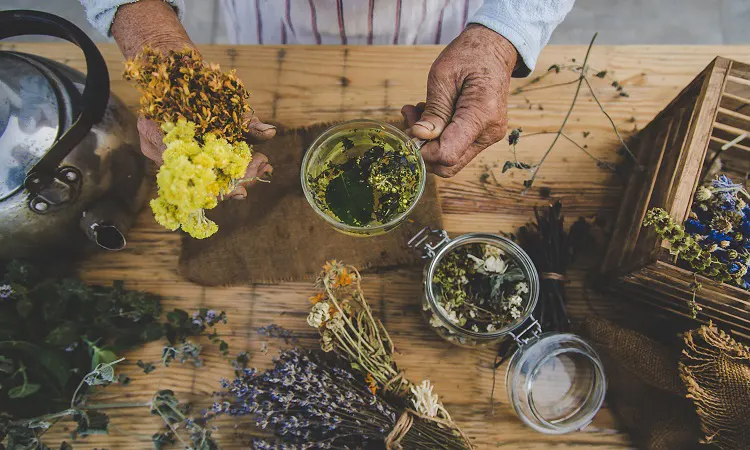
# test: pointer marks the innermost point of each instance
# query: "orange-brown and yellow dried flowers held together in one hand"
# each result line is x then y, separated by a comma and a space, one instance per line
203, 112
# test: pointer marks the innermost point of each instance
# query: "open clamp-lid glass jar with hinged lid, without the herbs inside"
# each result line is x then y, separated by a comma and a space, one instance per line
555, 381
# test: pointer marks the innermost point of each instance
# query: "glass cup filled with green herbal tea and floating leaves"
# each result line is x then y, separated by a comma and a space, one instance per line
363, 177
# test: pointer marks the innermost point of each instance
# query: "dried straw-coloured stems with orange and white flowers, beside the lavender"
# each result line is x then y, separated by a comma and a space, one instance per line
345, 322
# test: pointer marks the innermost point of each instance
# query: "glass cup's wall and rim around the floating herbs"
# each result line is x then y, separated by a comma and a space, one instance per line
330, 146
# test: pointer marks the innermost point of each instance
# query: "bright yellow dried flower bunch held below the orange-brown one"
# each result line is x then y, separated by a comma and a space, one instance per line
193, 176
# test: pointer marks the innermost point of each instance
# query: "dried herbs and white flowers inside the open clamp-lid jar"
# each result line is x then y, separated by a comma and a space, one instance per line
479, 288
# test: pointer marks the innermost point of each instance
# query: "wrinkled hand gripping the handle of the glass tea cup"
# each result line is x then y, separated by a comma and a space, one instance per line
467, 94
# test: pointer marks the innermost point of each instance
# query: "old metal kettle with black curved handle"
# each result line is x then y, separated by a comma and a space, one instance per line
70, 162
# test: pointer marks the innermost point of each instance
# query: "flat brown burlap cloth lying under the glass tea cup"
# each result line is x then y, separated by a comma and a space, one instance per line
274, 235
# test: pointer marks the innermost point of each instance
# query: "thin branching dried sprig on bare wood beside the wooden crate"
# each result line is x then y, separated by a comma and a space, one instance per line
583, 71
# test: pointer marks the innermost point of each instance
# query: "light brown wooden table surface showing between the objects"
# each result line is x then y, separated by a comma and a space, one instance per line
298, 86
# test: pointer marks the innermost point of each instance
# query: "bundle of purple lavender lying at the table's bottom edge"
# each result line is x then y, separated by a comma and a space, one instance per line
310, 402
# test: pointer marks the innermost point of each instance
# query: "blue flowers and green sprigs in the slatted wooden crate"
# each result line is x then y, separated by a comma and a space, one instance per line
715, 239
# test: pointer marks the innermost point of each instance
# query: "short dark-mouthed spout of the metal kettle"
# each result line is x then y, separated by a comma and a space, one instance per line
103, 224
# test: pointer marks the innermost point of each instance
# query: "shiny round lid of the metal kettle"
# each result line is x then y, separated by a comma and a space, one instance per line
29, 120
